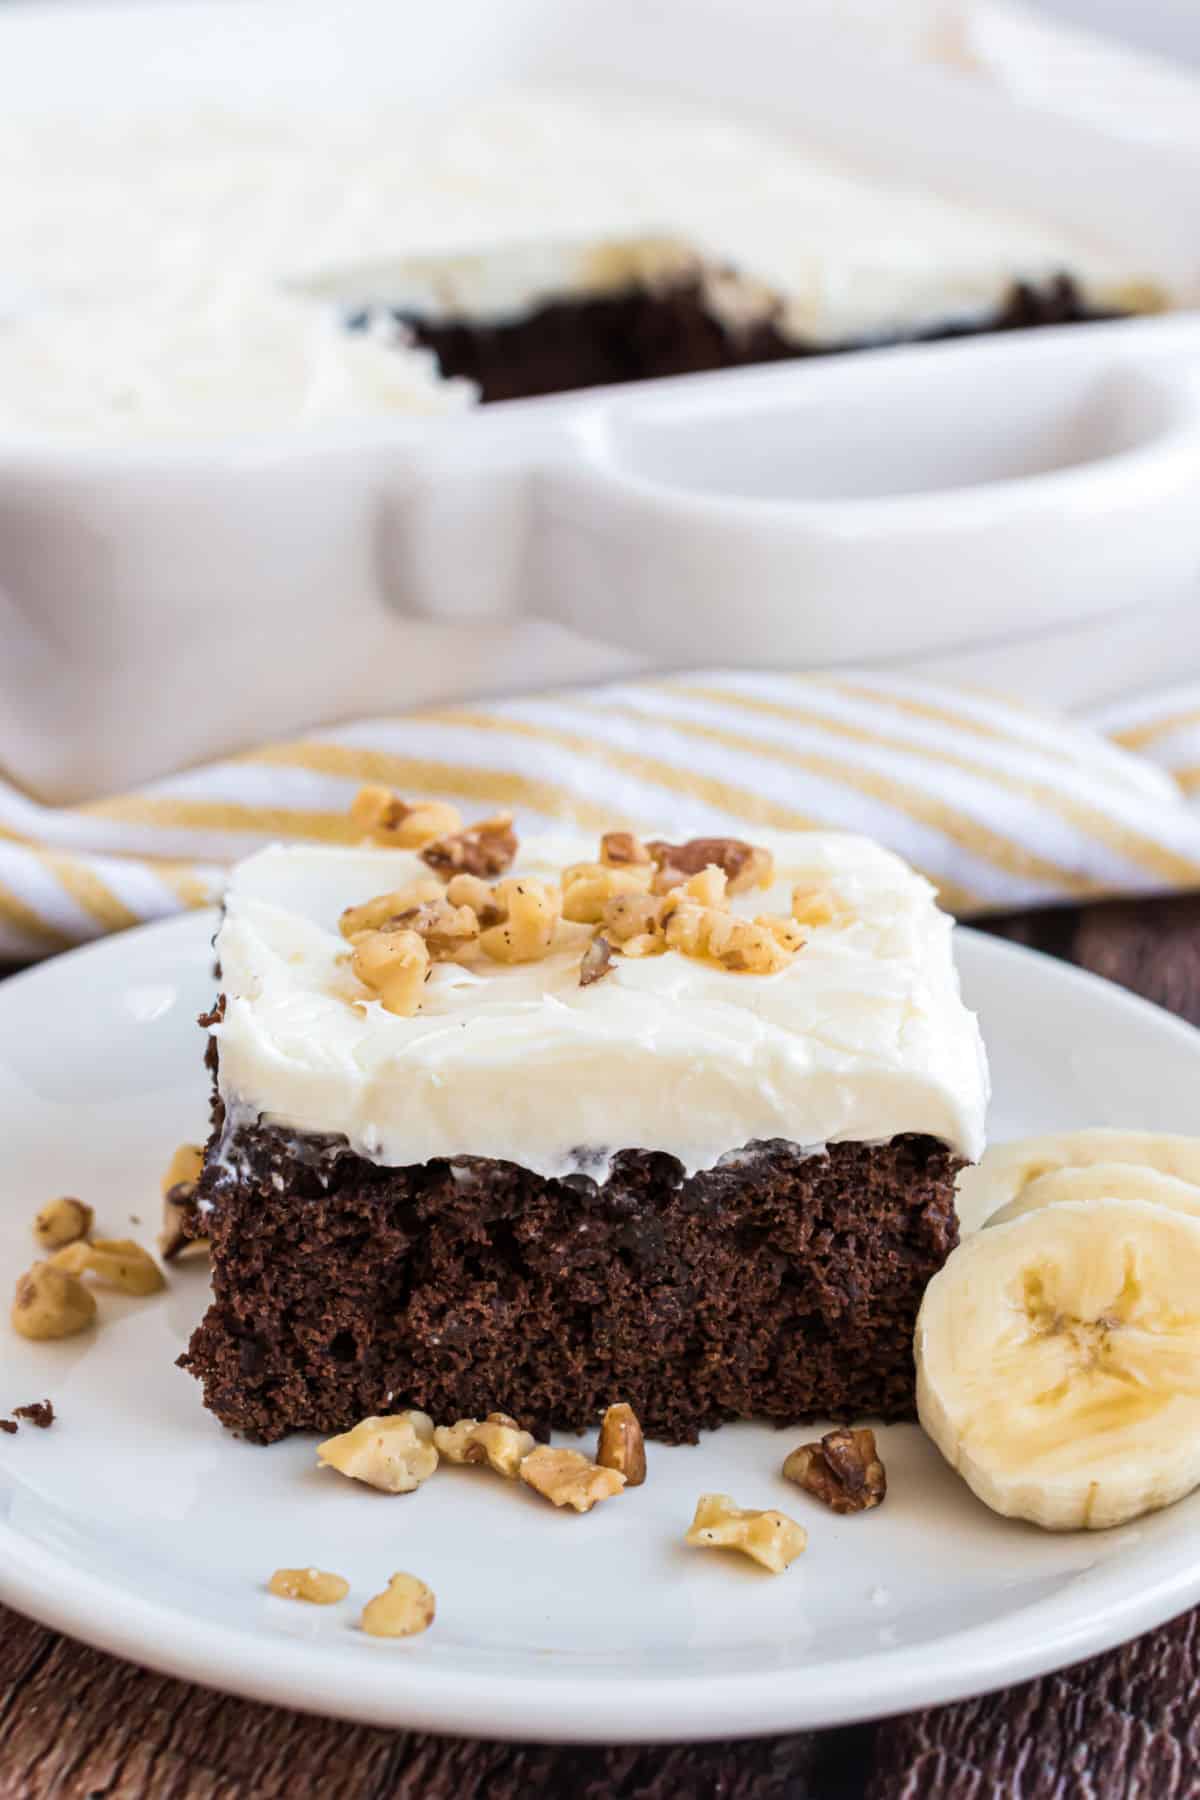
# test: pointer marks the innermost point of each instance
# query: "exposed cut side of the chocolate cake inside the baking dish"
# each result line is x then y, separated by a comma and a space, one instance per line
544, 319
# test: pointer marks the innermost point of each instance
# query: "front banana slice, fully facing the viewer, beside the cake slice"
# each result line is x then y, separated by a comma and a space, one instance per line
1059, 1363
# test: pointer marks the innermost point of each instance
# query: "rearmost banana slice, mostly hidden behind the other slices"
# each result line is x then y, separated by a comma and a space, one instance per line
1008, 1169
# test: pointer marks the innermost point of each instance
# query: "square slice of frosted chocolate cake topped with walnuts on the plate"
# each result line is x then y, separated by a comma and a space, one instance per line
674, 1124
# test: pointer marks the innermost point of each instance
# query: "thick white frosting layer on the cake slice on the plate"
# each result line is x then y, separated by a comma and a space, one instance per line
861, 1038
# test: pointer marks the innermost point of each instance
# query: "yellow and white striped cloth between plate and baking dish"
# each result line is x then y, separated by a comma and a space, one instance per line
999, 805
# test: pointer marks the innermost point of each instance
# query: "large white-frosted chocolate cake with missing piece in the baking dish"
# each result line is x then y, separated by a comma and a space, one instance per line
530, 244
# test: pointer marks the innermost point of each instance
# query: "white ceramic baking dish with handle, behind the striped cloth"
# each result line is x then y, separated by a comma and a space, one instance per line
944, 507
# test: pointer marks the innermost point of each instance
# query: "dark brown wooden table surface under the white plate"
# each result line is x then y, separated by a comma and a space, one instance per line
76, 1723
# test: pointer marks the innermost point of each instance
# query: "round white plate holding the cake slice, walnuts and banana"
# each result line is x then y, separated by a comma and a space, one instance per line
139, 1525
